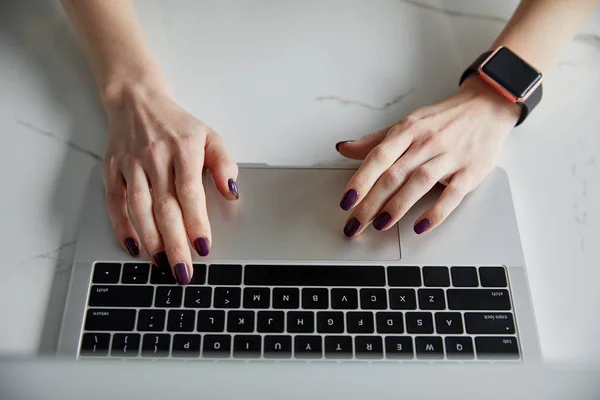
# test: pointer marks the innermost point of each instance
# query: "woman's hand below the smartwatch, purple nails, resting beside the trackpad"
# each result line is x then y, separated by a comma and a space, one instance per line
456, 142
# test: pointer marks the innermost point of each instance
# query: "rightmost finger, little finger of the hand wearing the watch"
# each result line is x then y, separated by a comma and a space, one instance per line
460, 185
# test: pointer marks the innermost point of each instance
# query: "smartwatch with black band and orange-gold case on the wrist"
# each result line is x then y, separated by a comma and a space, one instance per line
511, 76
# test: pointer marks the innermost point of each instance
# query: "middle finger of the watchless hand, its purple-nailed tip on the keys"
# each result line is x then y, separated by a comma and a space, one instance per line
169, 219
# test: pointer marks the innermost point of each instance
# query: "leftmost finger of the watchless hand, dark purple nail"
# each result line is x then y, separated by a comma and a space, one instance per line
116, 204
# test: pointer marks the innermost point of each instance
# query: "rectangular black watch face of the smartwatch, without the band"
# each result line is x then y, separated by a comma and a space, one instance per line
511, 72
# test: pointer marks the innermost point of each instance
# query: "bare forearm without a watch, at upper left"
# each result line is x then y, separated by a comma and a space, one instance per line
116, 48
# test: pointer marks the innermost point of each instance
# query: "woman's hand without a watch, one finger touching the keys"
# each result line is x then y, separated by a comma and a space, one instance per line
152, 174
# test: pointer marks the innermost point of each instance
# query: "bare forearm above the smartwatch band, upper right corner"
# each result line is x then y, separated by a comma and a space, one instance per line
540, 29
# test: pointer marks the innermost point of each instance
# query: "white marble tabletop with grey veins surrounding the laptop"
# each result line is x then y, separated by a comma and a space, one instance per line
283, 81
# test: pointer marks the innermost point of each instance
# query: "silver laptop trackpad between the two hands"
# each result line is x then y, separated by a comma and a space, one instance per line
291, 214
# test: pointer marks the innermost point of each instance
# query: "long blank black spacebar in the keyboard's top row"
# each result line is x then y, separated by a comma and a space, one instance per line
314, 275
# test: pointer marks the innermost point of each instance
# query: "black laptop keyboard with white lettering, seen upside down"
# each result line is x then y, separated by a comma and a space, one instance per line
306, 312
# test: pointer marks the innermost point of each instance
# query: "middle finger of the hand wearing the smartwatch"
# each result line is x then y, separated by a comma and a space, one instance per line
385, 188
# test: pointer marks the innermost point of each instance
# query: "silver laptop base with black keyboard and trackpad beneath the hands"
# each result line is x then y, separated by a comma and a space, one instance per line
283, 283
